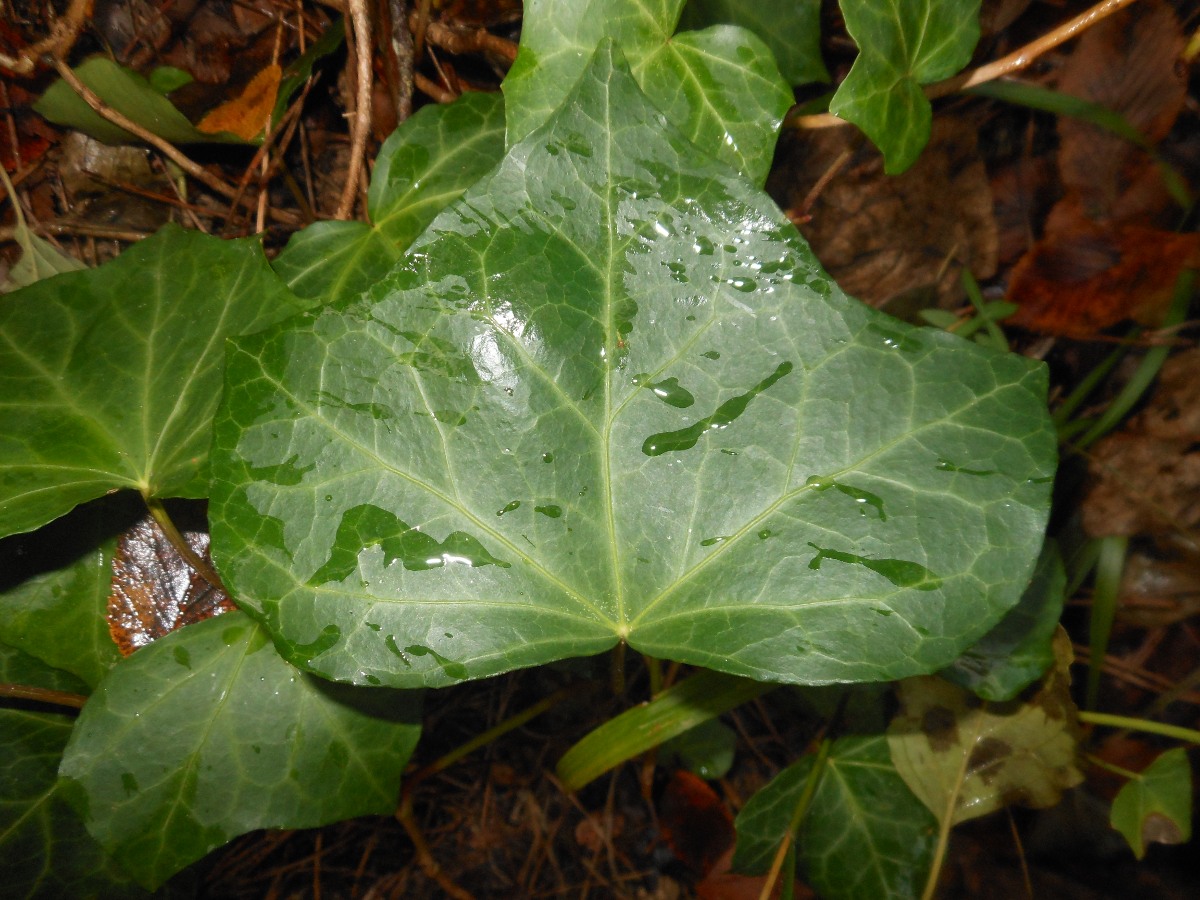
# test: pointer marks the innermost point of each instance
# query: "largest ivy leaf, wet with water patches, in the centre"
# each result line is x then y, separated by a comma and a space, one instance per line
611, 395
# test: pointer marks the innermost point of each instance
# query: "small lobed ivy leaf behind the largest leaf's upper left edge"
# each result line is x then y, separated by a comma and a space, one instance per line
427, 164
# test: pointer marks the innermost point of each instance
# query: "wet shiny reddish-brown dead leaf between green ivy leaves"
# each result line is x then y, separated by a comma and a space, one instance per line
155, 591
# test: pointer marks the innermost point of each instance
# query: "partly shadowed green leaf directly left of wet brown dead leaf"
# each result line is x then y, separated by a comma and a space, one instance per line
55, 587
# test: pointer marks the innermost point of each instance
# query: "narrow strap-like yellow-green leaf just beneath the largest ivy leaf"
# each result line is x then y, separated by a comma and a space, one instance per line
674, 713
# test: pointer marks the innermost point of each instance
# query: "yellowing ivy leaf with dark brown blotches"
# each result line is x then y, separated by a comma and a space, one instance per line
967, 758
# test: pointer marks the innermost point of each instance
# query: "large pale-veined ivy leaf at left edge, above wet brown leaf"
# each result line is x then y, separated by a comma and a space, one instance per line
109, 379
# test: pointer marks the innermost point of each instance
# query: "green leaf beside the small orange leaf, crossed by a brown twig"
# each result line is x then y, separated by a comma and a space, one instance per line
128, 93
